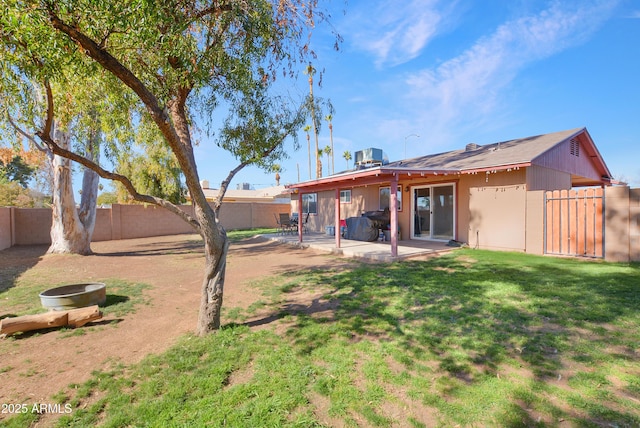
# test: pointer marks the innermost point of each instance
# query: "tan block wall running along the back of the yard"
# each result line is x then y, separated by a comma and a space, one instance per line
31, 226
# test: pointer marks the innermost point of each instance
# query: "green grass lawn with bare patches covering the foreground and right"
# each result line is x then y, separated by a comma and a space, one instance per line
473, 338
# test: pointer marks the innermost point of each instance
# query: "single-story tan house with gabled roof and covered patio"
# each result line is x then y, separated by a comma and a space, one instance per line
480, 195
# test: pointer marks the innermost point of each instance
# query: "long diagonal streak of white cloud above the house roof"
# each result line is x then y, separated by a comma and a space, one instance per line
468, 87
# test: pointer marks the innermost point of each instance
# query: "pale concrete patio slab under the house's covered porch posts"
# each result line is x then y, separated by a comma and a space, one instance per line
374, 251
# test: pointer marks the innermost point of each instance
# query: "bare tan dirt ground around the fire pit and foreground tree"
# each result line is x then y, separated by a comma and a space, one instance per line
33, 367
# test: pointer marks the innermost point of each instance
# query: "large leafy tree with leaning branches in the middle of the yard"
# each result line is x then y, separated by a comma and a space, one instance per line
182, 60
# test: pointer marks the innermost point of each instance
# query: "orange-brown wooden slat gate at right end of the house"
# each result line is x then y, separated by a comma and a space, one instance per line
574, 222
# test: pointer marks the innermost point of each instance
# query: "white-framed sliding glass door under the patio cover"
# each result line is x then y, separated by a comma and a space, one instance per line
433, 212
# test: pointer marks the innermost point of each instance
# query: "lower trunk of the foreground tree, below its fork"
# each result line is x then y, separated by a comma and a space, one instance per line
213, 285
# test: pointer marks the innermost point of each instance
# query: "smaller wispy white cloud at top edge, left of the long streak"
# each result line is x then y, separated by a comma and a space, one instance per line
395, 32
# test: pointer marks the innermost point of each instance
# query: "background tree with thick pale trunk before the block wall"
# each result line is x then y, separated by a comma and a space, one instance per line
73, 113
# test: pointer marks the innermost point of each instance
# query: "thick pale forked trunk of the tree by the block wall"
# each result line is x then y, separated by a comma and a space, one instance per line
71, 230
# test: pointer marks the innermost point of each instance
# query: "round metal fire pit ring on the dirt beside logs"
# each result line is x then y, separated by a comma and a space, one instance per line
74, 296
